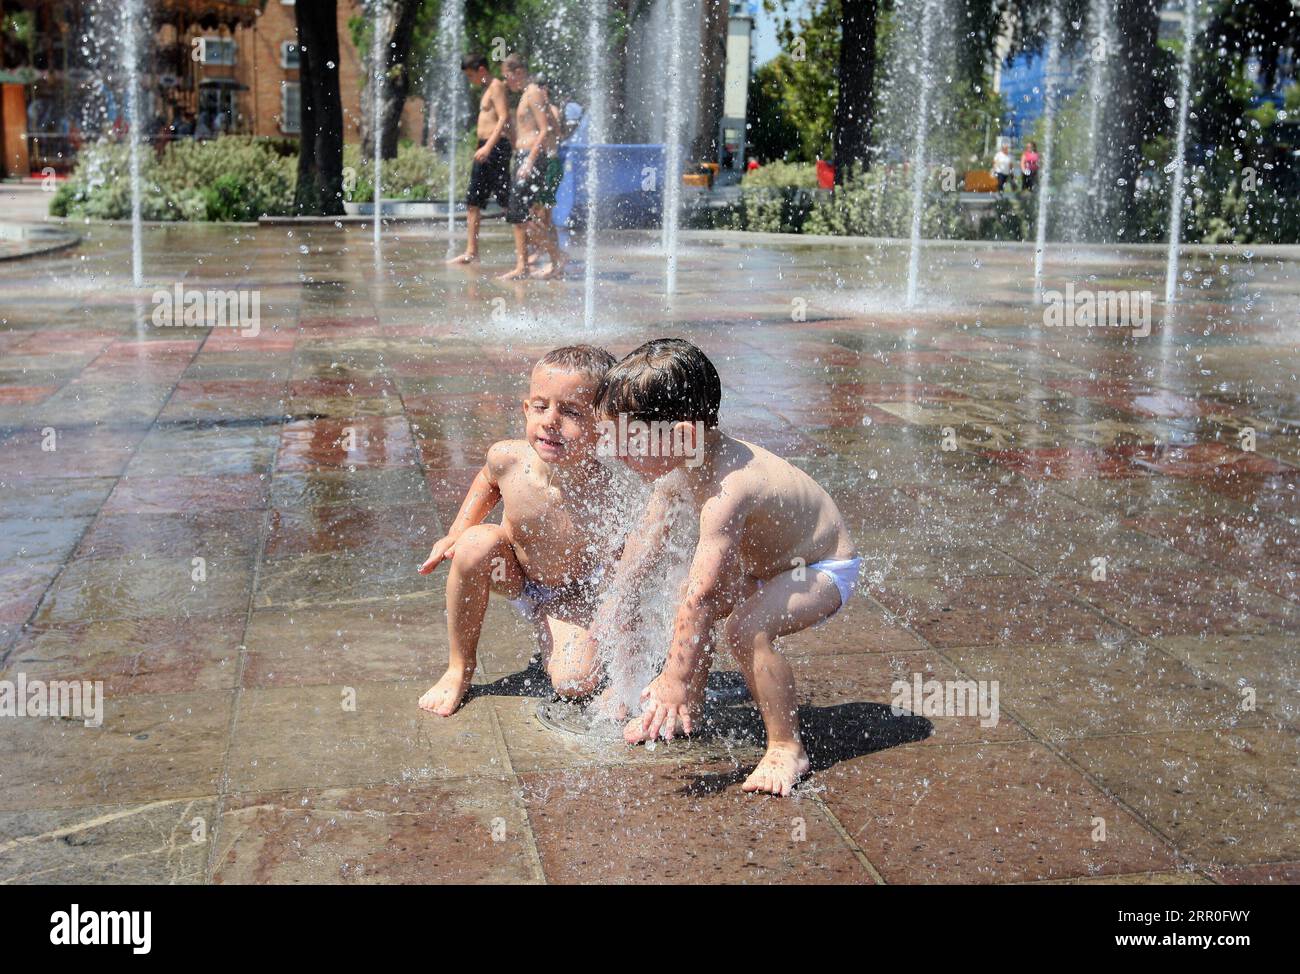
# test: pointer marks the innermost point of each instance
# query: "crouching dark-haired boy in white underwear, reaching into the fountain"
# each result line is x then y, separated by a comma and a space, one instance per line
774, 556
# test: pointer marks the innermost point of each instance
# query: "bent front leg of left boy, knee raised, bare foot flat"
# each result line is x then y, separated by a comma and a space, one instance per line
483, 562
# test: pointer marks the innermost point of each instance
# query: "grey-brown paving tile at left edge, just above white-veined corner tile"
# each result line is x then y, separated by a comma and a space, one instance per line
150, 747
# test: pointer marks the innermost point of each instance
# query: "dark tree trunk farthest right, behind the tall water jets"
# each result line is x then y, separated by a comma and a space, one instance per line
1132, 111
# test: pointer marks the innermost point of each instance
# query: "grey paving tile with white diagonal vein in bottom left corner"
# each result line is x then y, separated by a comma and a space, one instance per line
157, 843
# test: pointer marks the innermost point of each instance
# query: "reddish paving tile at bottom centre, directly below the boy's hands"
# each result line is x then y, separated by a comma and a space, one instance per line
626, 825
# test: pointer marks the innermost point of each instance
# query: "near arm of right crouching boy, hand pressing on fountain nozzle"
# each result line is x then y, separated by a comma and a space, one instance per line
710, 596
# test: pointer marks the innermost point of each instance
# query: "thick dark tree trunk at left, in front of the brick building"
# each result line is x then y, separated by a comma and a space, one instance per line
320, 145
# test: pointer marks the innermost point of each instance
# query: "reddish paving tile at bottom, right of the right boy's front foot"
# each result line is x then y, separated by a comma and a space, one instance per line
1003, 813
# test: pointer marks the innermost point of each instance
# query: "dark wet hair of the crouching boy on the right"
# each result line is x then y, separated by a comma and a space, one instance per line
669, 380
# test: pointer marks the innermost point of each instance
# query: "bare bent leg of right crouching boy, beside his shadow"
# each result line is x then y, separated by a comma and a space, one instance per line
785, 605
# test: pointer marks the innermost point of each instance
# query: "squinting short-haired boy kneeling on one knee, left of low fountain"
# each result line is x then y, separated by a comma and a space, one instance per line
552, 548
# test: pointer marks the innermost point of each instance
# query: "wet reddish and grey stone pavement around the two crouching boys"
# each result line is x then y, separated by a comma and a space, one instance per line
224, 530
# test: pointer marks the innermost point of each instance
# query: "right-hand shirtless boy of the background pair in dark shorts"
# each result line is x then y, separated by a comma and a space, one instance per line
534, 137
